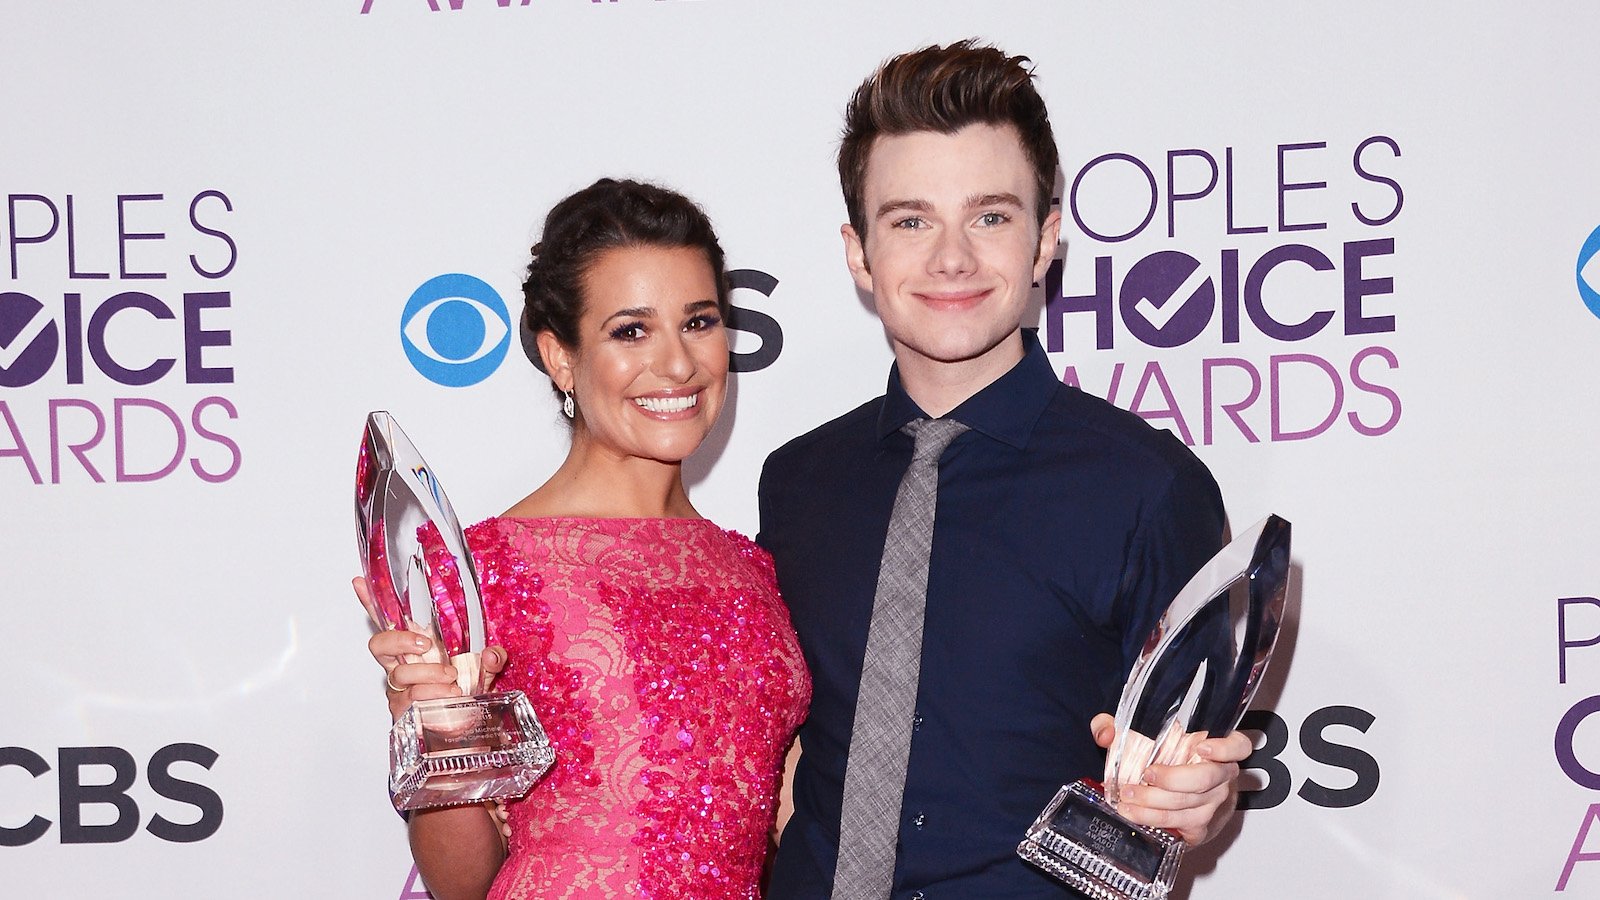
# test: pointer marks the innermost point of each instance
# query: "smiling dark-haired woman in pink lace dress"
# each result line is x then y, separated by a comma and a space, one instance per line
652, 643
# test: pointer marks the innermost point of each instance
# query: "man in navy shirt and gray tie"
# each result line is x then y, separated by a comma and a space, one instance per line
1063, 526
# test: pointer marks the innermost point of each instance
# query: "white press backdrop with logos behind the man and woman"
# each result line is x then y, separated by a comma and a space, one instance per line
1370, 223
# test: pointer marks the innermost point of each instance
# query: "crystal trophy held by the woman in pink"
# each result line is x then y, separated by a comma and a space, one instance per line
422, 577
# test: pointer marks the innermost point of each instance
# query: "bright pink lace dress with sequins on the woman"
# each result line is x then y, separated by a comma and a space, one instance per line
662, 662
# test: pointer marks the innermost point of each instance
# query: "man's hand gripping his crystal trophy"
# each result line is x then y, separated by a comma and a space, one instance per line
1194, 800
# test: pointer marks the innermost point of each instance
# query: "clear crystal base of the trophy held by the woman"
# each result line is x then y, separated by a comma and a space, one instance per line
465, 750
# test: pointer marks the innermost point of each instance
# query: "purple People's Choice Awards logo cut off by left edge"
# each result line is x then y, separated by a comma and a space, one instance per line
116, 339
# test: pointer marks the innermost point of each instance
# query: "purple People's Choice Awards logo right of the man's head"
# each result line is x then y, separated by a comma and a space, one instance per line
1276, 262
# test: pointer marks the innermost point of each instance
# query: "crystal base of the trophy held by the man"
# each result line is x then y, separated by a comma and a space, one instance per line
1082, 842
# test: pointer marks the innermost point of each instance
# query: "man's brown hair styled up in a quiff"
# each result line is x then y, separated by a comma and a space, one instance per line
946, 89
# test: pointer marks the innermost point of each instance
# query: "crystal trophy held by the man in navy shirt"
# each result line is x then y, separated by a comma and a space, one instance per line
1196, 677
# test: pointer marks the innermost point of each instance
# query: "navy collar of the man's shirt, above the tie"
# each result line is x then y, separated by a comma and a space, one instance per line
1007, 409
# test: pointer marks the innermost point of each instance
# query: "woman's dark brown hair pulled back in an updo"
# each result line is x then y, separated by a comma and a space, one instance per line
607, 215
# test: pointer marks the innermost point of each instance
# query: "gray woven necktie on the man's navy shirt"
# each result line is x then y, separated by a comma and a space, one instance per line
881, 736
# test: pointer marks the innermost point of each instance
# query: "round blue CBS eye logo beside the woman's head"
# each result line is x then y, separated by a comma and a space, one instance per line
455, 331
